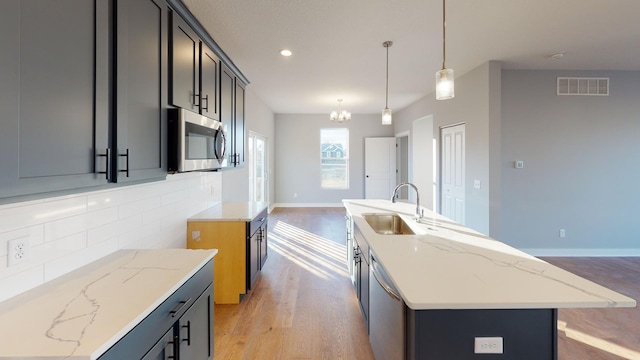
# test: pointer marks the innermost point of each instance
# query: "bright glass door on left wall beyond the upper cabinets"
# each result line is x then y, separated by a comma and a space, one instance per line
258, 177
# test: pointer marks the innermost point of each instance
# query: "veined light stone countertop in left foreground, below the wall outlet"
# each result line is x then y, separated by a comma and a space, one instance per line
82, 314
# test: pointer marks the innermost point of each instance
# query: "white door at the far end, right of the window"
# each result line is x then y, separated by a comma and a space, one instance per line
379, 167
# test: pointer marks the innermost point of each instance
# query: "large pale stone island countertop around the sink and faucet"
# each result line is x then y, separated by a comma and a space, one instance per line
448, 266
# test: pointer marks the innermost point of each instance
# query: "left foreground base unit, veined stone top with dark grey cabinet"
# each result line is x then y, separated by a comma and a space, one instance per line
127, 305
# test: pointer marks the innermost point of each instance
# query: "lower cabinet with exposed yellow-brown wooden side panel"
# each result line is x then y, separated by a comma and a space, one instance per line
242, 252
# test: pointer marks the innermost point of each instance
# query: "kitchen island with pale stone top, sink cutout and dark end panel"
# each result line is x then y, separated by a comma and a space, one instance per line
466, 294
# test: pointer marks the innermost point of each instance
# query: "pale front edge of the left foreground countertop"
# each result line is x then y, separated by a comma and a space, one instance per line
125, 330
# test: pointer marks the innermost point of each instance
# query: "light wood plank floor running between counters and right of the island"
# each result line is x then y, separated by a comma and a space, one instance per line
304, 306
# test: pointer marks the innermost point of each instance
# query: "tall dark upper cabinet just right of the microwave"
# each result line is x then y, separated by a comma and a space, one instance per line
232, 108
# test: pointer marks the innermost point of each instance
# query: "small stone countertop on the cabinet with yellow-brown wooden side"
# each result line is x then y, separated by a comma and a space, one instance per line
231, 211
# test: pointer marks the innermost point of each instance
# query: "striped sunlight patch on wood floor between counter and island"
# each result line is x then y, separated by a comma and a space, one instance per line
322, 257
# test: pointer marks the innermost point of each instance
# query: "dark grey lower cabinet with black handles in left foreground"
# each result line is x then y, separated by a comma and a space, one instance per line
179, 328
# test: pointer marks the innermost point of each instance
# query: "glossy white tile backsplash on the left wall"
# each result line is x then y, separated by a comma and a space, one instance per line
68, 232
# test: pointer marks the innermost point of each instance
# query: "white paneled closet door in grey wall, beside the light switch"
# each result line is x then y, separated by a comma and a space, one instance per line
452, 172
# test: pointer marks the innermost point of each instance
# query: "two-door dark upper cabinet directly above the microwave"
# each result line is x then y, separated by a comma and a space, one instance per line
195, 70
